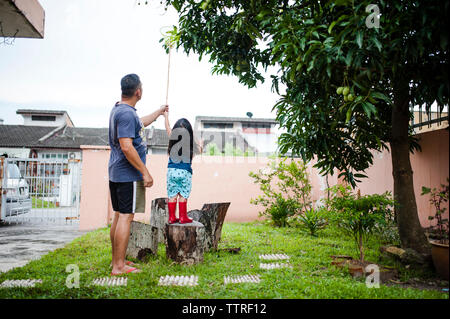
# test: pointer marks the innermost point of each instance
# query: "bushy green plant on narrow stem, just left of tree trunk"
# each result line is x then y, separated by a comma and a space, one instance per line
360, 216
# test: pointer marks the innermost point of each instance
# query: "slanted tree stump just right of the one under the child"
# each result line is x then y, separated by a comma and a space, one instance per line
212, 217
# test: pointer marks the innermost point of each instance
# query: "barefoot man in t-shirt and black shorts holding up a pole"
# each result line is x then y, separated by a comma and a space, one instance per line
128, 175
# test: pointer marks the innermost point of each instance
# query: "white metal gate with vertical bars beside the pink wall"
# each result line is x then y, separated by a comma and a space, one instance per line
40, 191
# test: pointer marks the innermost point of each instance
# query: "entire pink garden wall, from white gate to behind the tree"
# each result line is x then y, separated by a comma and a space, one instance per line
225, 179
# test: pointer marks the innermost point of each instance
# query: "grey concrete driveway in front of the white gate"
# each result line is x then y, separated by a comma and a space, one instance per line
21, 243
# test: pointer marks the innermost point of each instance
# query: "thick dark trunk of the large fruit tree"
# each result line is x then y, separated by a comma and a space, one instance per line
410, 231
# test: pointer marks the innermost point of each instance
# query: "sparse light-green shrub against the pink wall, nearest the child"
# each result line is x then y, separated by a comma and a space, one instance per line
286, 190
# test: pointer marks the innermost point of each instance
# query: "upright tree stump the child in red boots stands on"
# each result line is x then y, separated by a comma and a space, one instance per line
185, 242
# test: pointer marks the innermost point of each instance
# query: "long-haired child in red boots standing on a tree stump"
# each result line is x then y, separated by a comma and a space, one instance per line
179, 172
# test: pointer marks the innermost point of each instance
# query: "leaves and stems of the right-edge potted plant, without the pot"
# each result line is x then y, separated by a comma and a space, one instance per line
437, 198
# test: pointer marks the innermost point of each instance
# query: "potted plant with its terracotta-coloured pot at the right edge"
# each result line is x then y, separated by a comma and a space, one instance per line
439, 249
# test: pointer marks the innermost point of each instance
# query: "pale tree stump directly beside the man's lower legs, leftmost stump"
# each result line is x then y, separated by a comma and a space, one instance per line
143, 240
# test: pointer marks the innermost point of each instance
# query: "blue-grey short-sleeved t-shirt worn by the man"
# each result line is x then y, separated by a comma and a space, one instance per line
124, 122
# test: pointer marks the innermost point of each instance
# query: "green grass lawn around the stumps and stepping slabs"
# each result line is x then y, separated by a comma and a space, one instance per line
312, 276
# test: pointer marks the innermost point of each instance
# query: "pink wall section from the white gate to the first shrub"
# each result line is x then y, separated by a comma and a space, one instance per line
215, 179
